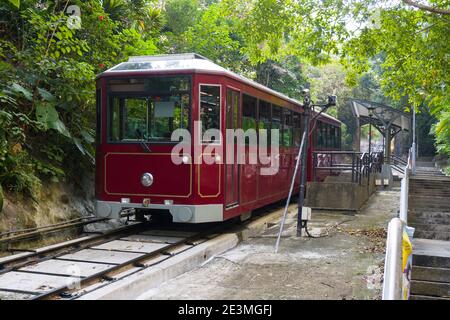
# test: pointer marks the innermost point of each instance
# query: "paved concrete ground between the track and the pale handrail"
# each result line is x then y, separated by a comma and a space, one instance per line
345, 262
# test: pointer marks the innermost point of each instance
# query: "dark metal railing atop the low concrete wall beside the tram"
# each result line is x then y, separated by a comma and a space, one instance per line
359, 164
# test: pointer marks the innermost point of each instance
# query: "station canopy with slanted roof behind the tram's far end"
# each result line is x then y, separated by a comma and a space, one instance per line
381, 116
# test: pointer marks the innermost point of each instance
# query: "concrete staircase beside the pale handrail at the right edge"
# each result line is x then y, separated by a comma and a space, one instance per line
429, 214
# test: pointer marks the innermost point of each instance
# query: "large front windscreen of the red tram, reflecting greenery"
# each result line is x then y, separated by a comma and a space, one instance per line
147, 109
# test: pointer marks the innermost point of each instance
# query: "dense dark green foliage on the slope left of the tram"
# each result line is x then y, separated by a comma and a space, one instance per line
47, 82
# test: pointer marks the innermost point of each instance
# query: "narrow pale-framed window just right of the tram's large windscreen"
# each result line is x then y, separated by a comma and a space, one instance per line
210, 108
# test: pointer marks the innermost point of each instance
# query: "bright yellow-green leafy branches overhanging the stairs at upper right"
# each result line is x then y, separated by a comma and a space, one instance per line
412, 49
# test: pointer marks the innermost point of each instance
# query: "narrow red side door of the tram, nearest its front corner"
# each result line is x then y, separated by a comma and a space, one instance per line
232, 167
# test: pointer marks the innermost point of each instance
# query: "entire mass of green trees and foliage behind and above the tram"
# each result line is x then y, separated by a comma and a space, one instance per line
47, 69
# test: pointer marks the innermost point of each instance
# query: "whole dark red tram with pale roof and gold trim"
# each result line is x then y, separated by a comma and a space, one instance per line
142, 101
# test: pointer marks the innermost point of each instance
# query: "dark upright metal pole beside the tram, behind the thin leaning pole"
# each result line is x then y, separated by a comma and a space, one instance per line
301, 195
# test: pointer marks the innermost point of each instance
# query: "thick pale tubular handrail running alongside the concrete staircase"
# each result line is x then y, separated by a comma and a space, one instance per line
393, 285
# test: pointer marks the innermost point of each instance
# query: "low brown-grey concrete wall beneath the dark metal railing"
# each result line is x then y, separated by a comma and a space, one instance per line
338, 195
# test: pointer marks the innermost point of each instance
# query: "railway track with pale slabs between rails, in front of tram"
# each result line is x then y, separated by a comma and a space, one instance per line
74, 268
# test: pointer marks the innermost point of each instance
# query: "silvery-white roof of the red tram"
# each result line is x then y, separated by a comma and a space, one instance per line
190, 62
